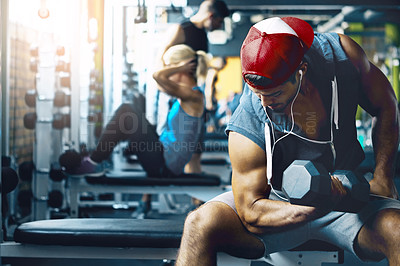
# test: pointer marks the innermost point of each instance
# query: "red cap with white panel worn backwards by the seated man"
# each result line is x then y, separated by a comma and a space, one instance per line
274, 48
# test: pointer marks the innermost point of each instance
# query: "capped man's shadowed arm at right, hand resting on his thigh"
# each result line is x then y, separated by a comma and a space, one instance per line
382, 105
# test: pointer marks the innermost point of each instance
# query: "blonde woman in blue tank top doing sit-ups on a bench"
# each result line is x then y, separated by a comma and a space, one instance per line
163, 155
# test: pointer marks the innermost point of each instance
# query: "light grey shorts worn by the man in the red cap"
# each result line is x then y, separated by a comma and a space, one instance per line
338, 228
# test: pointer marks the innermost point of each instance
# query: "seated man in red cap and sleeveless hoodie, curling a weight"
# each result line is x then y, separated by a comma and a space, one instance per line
299, 103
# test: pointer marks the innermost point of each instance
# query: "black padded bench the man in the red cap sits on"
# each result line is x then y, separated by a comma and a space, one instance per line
105, 238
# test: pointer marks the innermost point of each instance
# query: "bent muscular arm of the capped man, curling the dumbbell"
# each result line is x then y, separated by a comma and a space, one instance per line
250, 189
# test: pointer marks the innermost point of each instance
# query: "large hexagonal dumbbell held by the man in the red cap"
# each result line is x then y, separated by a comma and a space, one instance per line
309, 183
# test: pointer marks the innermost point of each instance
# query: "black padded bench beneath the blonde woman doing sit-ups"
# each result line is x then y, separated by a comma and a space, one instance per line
200, 186
